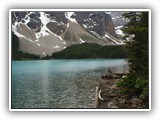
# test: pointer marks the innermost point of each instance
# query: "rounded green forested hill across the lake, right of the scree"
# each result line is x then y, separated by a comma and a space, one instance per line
90, 50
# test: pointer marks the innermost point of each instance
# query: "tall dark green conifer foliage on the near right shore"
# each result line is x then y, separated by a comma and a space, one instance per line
136, 82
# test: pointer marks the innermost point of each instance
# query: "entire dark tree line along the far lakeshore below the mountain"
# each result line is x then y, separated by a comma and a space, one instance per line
78, 51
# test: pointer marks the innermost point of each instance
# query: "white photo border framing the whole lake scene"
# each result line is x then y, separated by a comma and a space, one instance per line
72, 10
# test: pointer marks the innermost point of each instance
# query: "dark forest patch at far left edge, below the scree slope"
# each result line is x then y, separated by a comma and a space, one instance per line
19, 55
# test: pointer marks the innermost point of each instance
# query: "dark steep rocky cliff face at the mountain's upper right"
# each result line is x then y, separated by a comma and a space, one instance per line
99, 22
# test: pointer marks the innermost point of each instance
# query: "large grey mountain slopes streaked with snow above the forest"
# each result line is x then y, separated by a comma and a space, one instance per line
43, 33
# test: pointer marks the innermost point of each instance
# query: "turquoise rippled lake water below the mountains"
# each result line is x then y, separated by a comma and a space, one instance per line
58, 83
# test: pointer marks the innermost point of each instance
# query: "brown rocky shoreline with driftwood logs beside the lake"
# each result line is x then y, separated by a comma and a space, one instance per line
108, 96
